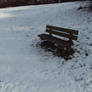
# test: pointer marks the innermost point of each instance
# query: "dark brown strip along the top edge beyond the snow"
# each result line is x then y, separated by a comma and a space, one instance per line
11, 3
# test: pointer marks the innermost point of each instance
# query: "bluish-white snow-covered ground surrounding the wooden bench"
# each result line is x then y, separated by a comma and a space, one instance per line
24, 67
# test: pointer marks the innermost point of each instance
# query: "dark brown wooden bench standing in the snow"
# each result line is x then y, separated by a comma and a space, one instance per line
61, 37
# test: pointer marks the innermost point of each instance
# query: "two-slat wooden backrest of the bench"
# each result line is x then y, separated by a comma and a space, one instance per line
63, 32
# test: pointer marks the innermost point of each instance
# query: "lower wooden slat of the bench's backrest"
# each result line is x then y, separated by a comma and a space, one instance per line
62, 34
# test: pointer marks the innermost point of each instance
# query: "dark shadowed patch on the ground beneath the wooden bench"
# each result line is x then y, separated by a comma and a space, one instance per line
63, 52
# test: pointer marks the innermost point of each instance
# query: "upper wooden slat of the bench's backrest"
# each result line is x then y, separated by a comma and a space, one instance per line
75, 32
